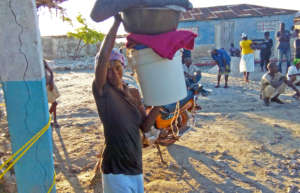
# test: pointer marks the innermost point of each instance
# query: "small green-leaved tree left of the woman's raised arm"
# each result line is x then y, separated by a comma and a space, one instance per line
84, 34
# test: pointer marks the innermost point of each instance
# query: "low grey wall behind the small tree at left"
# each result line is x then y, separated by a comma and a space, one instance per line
56, 47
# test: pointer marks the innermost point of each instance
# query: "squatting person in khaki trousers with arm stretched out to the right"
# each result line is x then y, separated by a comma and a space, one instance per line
273, 83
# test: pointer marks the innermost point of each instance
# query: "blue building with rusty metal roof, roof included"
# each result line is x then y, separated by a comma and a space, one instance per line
222, 25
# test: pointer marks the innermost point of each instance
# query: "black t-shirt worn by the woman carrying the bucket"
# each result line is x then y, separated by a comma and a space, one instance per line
121, 121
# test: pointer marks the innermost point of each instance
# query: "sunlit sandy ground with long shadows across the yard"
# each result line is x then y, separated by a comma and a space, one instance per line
237, 145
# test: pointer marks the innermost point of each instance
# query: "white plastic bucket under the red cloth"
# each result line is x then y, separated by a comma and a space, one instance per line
162, 81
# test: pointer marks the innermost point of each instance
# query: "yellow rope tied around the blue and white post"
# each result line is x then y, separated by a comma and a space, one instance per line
21, 152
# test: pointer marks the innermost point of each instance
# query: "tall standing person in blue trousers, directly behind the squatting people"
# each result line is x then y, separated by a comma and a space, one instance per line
284, 49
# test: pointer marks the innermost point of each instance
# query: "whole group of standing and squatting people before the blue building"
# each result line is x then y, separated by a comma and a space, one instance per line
273, 82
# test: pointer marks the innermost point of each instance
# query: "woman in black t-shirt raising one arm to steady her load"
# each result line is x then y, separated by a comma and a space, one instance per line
123, 115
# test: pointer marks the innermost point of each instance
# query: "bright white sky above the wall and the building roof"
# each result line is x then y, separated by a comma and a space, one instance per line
52, 24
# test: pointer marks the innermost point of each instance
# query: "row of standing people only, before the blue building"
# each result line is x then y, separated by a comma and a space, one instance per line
247, 47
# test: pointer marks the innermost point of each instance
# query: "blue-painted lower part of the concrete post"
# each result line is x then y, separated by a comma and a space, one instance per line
27, 114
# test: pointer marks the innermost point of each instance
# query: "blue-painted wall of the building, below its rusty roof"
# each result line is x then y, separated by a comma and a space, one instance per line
209, 37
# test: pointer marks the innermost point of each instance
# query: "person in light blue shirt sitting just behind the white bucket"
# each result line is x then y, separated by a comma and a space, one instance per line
191, 72
